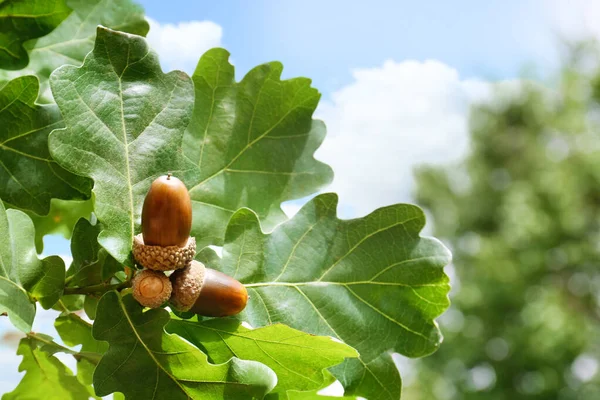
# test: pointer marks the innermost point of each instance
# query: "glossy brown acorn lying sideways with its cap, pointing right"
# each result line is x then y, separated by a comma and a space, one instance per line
207, 292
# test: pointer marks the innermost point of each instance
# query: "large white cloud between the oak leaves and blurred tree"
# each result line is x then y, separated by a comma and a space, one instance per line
390, 119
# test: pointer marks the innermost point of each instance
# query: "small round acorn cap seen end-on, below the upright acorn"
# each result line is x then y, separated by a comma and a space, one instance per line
151, 288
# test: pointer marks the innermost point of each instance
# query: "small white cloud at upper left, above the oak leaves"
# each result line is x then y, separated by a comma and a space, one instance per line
180, 46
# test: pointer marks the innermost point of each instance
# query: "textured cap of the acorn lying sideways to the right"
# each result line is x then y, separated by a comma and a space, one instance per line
187, 284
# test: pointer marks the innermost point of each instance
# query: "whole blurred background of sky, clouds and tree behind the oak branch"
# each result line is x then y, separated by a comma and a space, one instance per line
487, 114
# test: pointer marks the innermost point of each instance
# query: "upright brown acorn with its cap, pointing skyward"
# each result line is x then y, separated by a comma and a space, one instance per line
165, 243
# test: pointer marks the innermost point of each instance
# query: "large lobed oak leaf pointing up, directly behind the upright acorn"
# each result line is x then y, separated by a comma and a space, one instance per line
124, 122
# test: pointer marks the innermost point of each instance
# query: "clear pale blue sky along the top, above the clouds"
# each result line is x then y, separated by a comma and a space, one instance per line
324, 40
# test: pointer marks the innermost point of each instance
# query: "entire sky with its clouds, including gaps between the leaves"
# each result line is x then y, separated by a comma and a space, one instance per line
397, 79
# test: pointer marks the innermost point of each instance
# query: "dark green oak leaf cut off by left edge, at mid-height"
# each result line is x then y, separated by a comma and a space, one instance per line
29, 177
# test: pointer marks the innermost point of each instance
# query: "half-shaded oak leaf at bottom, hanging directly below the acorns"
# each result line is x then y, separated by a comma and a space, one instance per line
145, 362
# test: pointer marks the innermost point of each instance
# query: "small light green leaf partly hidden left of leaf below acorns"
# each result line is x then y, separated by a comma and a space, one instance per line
75, 331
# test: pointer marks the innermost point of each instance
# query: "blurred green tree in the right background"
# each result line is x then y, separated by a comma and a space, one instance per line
521, 215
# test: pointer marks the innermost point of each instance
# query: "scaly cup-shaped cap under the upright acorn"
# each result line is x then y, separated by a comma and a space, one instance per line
166, 258
